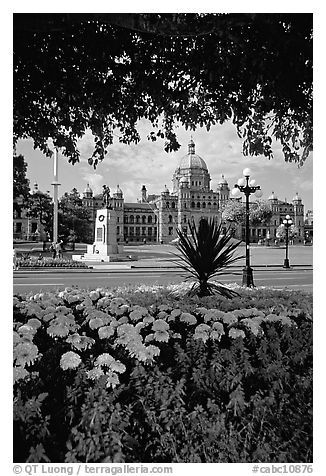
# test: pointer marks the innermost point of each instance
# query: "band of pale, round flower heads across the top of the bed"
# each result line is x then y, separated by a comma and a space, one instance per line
96, 328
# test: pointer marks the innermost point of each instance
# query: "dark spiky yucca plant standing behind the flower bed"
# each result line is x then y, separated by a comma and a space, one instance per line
207, 253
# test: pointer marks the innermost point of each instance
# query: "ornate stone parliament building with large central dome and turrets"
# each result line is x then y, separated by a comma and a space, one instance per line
156, 217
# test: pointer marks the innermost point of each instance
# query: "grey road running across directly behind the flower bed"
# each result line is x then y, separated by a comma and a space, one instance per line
25, 281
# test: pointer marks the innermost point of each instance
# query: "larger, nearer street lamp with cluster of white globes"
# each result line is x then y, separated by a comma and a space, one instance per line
247, 187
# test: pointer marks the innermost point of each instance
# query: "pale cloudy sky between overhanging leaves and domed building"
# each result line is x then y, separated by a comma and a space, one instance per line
146, 163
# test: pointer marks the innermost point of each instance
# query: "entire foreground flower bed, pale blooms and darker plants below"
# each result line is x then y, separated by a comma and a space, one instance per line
102, 376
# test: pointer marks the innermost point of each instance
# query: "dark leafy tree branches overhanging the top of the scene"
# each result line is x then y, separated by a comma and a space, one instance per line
104, 72
